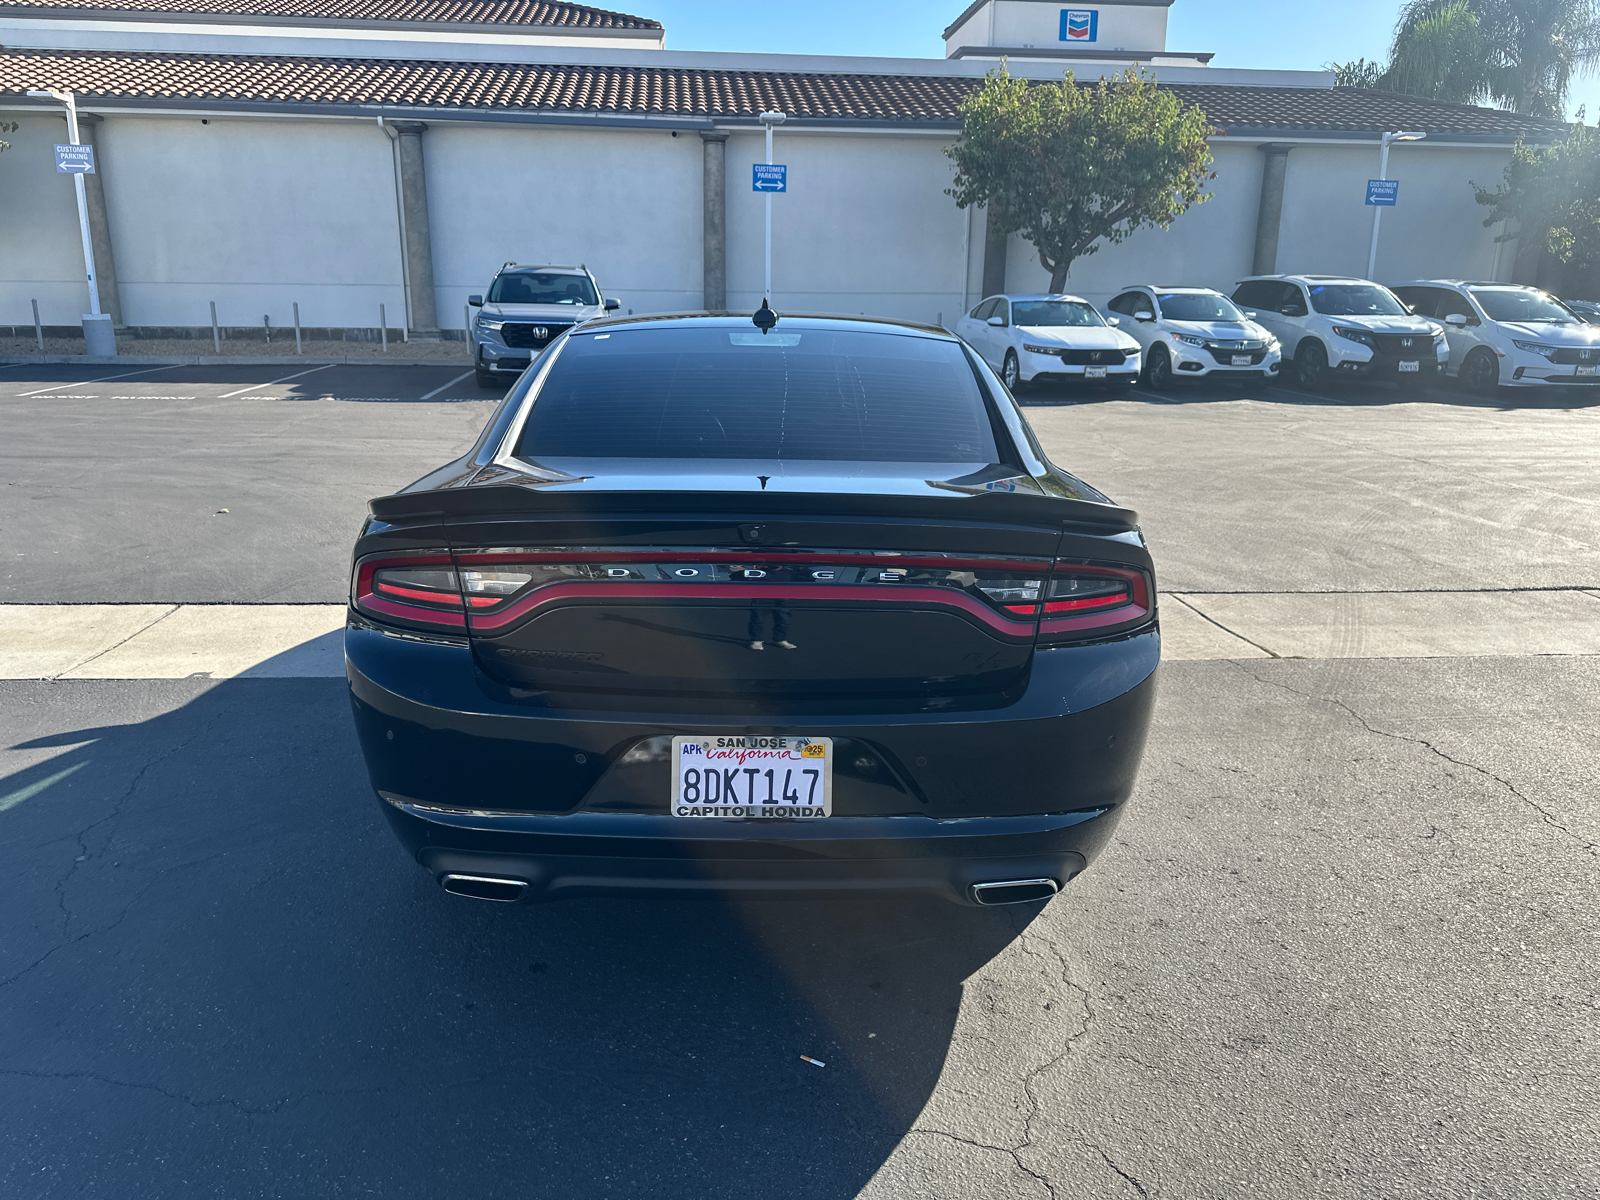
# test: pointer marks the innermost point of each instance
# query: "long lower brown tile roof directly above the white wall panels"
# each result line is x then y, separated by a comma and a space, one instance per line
281, 81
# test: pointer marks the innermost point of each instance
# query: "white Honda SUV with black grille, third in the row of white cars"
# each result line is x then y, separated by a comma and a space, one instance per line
1332, 326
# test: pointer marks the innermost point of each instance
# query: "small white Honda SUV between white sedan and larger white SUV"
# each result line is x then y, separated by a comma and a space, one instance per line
1194, 334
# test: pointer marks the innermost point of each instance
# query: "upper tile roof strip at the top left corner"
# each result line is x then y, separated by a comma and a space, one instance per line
454, 12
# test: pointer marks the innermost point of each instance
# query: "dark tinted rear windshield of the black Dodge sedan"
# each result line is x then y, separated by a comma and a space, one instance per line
718, 393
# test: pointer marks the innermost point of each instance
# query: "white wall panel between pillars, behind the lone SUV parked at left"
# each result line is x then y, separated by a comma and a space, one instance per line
625, 202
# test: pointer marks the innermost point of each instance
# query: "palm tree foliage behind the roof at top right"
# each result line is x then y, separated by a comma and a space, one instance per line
1522, 55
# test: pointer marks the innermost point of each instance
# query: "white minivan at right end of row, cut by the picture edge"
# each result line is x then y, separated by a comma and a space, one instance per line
1506, 335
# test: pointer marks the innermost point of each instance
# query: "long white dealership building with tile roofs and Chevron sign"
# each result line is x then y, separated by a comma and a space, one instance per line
340, 156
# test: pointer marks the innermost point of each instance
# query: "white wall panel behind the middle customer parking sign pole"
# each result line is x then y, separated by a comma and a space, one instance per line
865, 226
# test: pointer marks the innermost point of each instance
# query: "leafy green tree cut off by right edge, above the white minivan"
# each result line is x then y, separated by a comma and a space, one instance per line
1556, 190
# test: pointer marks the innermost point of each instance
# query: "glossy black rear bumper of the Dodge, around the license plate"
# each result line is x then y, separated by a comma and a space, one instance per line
490, 788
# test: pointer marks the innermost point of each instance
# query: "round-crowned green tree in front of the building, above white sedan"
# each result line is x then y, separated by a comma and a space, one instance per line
1071, 167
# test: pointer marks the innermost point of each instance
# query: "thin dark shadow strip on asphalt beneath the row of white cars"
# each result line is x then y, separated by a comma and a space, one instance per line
1340, 394
